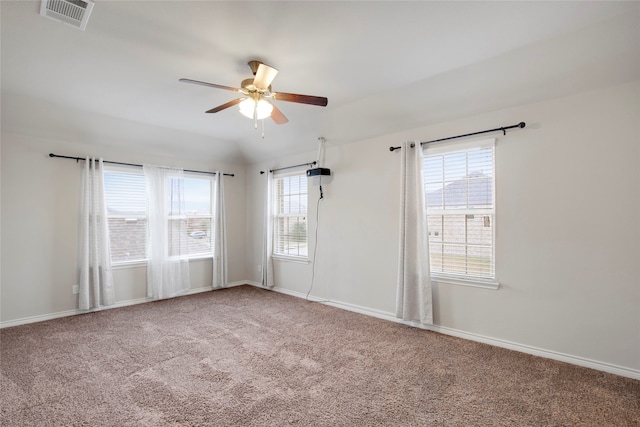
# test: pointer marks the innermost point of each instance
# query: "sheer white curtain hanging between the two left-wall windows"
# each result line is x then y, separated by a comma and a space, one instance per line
167, 262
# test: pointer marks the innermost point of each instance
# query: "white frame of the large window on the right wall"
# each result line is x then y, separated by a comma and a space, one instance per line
434, 149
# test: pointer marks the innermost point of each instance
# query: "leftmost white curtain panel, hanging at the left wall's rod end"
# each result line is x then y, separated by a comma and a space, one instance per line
96, 280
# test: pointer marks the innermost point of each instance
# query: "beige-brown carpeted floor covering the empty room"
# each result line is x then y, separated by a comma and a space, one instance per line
250, 357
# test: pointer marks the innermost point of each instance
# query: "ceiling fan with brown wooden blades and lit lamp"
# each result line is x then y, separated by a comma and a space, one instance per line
256, 93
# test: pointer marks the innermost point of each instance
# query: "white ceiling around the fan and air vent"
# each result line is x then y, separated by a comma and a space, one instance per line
384, 66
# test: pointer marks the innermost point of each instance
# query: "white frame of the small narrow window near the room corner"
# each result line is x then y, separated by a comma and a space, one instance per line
275, 216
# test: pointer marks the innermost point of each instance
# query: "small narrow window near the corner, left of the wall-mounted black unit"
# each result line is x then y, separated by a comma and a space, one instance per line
290, 216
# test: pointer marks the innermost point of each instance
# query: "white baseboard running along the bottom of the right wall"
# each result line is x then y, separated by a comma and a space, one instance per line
549, 354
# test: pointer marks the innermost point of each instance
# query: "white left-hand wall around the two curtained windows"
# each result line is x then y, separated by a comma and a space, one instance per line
40, 212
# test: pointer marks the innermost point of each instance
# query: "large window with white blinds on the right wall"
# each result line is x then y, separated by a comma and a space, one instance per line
459, 193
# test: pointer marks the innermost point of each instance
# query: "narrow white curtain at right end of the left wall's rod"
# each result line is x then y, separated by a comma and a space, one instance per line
220, 270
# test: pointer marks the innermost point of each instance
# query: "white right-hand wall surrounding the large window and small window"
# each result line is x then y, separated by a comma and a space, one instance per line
568, 229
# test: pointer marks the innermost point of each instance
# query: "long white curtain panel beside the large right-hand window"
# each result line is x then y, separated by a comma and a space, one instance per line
413, 302
